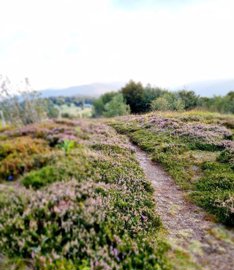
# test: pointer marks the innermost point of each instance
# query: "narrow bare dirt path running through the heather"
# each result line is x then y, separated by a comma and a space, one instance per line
211, 245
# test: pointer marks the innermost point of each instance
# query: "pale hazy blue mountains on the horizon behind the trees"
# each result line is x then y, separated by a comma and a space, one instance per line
204, 88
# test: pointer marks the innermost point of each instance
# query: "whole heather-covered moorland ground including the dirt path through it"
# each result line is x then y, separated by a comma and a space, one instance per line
77, 194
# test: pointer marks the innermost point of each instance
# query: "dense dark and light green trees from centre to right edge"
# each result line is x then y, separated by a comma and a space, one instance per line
135, 98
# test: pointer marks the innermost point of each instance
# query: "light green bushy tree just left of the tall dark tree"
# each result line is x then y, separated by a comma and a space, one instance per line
116, 107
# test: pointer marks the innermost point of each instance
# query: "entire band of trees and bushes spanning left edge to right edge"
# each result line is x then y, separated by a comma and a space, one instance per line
25, 106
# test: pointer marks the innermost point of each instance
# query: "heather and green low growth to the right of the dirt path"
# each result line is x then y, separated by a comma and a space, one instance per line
196, 149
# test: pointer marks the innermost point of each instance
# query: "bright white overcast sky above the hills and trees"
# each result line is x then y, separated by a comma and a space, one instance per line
60, 43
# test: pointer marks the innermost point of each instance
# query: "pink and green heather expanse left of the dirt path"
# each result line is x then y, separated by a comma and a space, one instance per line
75, 198
